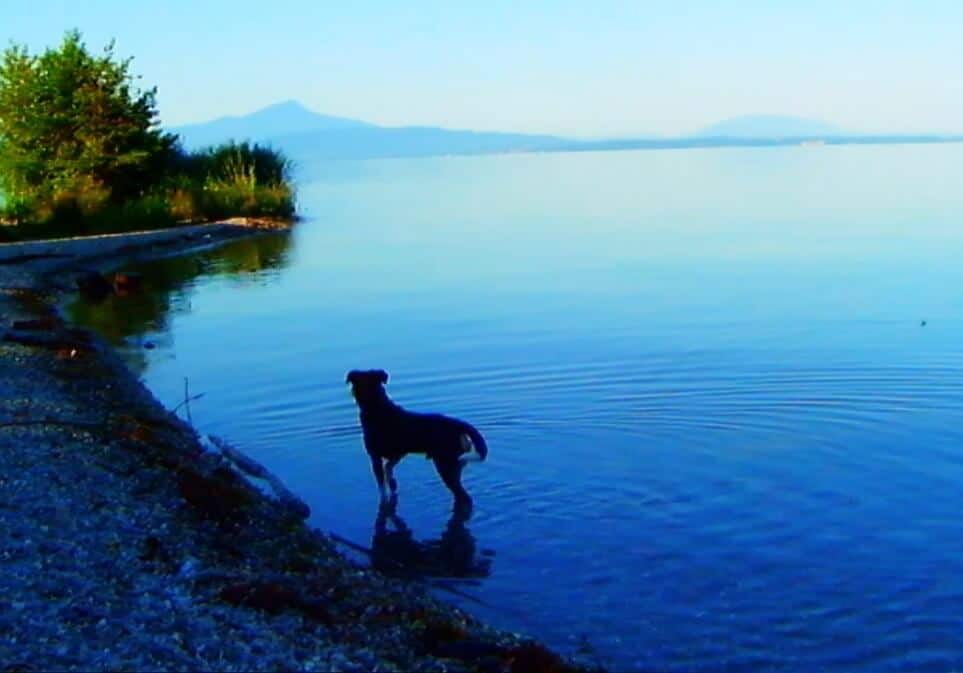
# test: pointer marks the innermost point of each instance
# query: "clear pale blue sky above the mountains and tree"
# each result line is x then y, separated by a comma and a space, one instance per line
586, 69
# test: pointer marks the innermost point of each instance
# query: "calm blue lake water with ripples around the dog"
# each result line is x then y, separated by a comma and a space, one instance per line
721, 436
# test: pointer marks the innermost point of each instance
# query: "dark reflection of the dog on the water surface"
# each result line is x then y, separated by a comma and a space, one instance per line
395, 551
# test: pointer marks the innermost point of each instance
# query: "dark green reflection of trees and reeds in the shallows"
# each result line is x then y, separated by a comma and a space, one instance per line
166, 290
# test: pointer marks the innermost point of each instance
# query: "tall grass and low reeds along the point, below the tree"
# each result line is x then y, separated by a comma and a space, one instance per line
230, 180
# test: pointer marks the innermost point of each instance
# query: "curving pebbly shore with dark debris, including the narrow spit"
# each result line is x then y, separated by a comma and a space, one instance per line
136, 545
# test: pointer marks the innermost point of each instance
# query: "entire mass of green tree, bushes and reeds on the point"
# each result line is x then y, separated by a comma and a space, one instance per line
81, 153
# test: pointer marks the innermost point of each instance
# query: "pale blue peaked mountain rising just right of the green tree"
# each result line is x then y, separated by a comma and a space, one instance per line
275, 120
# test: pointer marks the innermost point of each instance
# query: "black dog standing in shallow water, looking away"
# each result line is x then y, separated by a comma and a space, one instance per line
391, 433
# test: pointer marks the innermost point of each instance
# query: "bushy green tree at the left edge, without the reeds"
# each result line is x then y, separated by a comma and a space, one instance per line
74, 128
